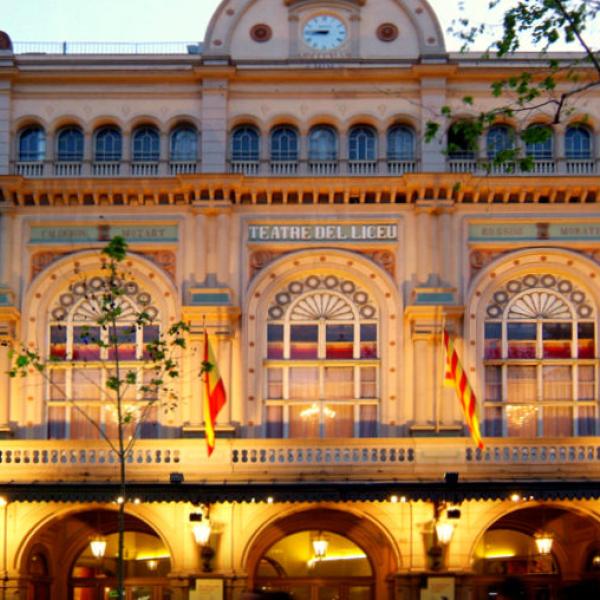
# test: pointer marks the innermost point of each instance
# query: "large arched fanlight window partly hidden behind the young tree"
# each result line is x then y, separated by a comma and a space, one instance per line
80, 363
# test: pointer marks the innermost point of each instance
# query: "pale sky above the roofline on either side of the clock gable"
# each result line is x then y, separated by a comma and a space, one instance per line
149, 20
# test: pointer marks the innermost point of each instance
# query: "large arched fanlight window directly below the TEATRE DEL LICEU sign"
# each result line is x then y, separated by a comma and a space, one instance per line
321, 376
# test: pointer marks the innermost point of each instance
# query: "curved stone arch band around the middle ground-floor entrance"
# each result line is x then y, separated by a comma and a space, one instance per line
365, 533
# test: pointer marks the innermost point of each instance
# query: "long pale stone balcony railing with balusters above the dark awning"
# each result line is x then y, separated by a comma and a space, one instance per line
378, 459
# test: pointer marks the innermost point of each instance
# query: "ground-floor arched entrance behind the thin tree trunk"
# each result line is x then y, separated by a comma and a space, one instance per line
63, 549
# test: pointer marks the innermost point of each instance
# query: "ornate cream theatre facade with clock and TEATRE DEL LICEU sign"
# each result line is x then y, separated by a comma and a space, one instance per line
275, 189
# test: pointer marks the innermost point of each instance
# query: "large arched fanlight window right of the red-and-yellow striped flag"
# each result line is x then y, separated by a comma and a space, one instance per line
540, 373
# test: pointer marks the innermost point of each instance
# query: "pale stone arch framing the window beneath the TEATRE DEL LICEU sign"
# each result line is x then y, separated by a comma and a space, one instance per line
366, 273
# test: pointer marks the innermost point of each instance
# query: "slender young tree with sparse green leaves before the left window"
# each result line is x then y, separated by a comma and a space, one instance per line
113, 323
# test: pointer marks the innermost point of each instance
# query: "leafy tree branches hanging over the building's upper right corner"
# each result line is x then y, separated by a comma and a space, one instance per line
553, 88
